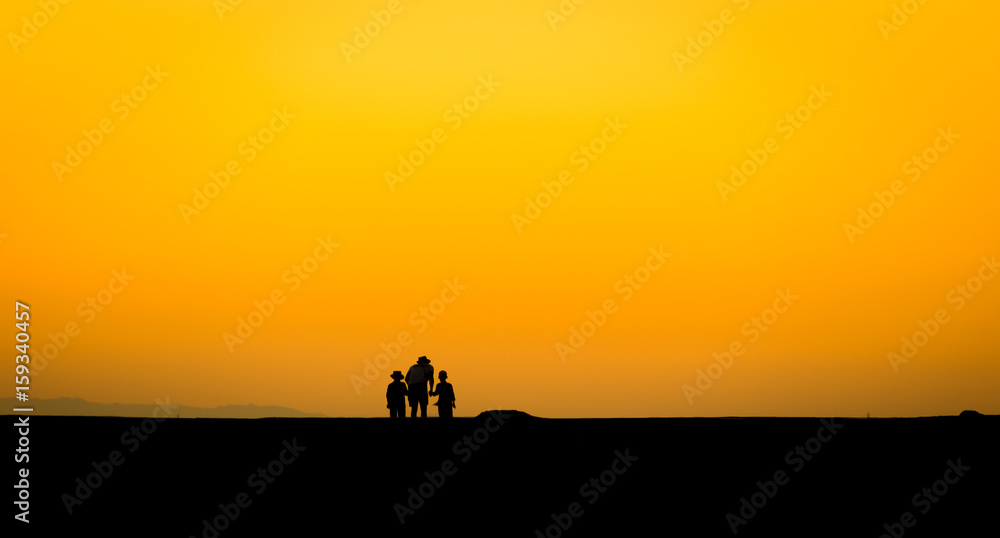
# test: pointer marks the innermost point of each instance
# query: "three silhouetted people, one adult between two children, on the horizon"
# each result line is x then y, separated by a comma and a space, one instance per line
419, 383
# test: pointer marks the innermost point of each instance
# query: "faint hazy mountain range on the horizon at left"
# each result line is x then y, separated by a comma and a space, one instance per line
81, 407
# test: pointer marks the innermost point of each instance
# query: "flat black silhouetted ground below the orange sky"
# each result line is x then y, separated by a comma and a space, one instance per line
509, 474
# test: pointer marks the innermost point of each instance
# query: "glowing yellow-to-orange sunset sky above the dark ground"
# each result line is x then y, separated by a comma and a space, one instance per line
347, 115
